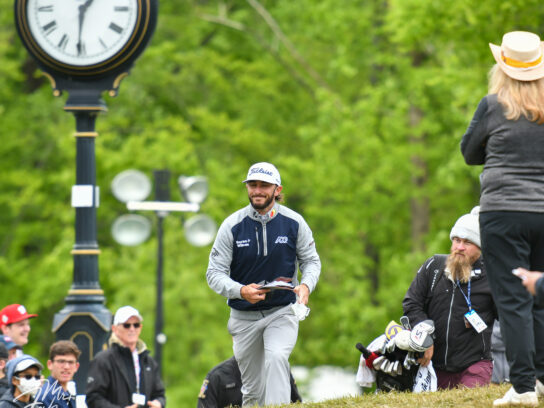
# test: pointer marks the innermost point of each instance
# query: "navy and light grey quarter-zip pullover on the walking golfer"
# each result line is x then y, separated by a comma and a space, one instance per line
250, 248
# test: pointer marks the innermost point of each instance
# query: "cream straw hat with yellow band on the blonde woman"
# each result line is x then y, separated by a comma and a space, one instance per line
520, 55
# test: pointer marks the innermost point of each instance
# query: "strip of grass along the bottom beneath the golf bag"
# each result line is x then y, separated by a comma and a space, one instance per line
475, 397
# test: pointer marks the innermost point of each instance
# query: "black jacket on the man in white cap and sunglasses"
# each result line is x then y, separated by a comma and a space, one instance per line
111, 379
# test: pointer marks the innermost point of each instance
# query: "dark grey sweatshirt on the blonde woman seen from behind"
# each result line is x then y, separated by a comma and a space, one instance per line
513, 156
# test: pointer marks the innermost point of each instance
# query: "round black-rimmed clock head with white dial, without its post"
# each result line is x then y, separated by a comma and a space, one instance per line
85, 39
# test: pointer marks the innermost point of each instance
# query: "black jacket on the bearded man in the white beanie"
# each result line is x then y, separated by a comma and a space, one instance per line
432, 295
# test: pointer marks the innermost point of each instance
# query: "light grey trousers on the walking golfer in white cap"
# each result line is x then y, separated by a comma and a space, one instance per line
262, 344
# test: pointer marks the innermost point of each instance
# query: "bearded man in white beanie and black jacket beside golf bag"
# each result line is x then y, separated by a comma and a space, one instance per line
452, 291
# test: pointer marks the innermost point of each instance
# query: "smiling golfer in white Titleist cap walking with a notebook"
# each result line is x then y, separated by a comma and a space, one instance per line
264, 241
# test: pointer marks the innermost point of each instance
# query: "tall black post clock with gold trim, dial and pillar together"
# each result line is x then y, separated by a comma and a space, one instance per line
109, 40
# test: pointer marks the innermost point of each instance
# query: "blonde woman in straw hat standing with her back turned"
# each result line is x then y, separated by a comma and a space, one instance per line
506, 134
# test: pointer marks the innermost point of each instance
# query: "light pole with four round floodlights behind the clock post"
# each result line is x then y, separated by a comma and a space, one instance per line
133, 187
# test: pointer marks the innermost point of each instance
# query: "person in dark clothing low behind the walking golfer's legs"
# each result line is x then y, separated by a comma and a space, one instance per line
222, 387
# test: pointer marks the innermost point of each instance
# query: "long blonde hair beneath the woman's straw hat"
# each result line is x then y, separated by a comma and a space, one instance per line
518, 98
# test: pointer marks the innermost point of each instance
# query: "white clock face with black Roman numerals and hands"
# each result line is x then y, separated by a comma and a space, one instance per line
82, 32
